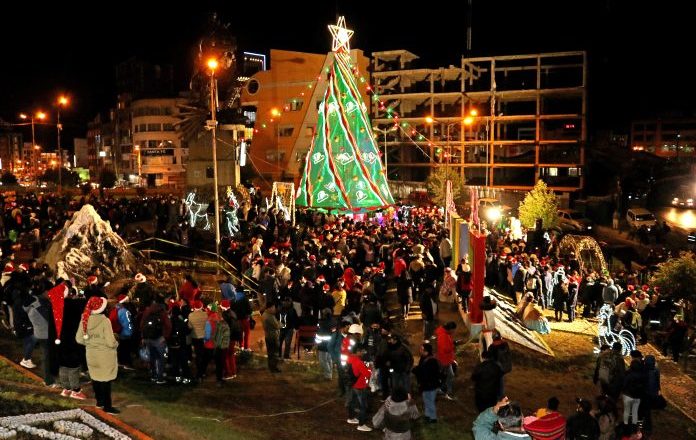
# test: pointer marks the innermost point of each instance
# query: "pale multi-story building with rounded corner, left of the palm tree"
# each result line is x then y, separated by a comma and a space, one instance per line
159, 155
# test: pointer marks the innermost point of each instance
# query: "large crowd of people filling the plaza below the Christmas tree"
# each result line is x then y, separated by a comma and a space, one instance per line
327, 279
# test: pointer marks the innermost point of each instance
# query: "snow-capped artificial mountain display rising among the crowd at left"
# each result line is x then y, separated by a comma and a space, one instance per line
88, 241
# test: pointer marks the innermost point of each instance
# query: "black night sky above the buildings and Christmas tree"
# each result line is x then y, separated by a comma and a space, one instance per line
639, 53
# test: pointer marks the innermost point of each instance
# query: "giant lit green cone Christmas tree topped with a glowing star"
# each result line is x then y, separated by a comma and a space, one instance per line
343, 170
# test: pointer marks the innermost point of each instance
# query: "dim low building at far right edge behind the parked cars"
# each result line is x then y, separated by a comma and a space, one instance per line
668, 138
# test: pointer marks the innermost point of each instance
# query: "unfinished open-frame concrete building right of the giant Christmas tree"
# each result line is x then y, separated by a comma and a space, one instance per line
503, 122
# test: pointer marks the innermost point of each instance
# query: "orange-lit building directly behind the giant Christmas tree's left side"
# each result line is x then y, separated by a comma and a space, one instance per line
282, 102
